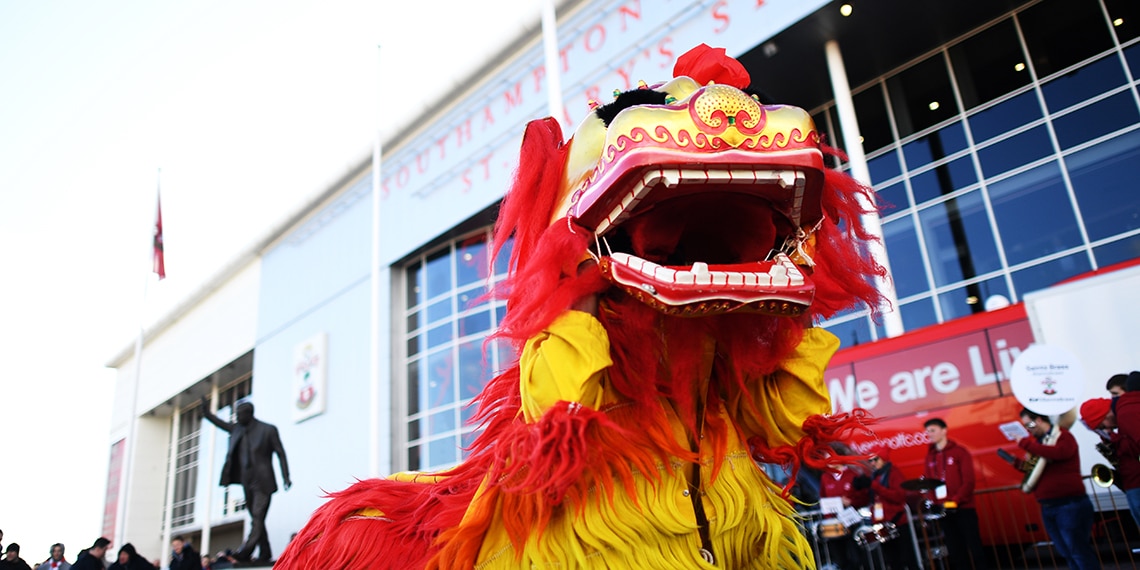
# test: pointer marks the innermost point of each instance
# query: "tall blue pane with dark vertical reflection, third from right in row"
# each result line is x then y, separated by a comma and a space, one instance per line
959, 239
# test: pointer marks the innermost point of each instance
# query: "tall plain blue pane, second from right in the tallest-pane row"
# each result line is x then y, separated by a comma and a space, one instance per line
1035, 215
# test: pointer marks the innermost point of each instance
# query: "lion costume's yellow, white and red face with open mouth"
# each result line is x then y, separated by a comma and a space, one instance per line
701, 201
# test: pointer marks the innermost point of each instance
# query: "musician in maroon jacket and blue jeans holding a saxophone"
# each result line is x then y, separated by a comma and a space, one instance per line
1060, 490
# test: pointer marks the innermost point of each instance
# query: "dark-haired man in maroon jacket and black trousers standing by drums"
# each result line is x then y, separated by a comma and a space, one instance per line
950, 462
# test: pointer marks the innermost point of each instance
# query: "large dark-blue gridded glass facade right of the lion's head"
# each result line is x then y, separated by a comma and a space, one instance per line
1006, 161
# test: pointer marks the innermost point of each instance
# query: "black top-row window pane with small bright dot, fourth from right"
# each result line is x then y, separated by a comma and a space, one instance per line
922, 96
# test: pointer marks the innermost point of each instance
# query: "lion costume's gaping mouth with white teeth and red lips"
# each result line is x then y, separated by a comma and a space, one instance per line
701, 240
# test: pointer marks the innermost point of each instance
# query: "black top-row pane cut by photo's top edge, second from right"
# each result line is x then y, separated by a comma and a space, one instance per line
1061, 34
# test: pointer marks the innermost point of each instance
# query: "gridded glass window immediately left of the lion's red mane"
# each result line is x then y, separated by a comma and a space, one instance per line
449, 316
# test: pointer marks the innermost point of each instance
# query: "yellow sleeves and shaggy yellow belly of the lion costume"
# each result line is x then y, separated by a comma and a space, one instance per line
751, 525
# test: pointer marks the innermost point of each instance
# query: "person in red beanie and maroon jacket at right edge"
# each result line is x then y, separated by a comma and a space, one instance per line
1118, 422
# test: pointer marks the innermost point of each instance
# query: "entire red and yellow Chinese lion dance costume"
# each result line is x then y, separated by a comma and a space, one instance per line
666, 267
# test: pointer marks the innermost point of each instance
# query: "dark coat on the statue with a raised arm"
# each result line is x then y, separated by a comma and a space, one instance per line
255, 468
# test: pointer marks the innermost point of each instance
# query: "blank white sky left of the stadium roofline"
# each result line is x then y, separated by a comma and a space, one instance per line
249, 108
